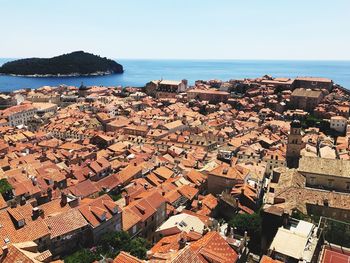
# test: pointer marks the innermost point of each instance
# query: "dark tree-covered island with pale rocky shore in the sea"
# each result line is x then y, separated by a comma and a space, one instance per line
78, 63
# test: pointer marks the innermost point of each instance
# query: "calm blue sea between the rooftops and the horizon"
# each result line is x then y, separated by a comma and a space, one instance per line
139, 72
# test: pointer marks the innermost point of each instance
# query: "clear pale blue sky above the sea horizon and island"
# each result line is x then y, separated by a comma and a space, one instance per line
199, 29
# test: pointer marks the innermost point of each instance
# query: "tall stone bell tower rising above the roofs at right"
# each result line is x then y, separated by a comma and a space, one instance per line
295, 144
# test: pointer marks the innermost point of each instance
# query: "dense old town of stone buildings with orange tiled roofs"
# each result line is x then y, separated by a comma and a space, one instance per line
173, 163
